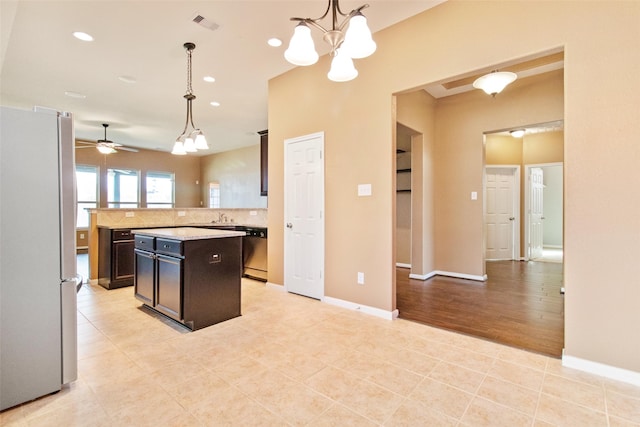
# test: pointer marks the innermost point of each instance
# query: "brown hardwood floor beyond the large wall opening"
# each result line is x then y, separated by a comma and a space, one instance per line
519, 305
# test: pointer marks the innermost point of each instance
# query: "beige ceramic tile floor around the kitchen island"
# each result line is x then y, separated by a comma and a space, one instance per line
294, 361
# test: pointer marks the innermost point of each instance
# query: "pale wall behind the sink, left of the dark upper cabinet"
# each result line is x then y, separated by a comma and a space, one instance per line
238, 173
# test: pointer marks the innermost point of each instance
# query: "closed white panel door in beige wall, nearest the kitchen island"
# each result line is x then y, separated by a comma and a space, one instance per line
304, 216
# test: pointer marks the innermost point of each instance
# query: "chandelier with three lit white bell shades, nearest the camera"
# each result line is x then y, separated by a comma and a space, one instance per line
355, 43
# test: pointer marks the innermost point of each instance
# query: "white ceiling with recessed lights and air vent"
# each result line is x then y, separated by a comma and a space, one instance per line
41, 60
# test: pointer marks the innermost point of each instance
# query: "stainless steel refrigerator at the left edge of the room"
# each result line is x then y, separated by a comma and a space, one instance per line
38, 279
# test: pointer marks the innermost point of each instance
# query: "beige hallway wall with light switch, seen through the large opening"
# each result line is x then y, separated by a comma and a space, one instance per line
461, 122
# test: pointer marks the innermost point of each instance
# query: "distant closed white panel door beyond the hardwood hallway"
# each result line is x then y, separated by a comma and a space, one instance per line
499, 215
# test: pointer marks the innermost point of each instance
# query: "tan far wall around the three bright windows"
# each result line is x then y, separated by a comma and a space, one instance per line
185, 168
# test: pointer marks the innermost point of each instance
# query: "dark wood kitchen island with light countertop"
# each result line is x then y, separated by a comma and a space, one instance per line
191, 275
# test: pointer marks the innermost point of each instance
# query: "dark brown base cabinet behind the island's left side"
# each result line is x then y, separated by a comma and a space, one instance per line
115, 258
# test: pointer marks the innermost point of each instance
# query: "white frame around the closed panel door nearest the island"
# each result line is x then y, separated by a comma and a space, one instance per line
321, 231
